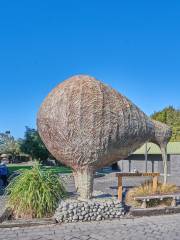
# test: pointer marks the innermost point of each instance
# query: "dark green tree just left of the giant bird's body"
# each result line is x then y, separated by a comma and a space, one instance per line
33, 145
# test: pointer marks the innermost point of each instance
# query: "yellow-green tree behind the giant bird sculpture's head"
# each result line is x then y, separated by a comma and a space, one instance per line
171, 117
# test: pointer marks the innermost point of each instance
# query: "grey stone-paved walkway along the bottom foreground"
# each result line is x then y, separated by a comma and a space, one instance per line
155, 227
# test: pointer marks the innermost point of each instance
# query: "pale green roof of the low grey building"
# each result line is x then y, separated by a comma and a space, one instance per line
172, 148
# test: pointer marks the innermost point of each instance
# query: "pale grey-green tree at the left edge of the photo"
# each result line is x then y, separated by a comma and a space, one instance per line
9, 145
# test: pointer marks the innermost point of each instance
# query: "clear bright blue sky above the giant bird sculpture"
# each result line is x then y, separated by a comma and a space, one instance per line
134, 46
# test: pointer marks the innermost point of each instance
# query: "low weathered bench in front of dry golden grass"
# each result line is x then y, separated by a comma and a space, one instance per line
146, 199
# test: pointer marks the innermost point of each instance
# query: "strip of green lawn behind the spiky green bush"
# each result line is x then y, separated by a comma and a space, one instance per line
56, 169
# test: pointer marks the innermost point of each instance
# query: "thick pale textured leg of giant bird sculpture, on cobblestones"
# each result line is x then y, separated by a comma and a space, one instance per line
84, 183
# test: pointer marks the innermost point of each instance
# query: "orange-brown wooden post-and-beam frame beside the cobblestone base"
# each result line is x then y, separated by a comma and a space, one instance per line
121, 175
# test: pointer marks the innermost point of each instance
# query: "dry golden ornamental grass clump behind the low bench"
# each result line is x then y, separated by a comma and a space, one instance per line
146, 189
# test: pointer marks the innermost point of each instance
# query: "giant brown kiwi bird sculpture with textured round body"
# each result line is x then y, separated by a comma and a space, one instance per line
88, 125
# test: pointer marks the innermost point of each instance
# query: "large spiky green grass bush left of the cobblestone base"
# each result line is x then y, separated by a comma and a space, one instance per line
35, 193
